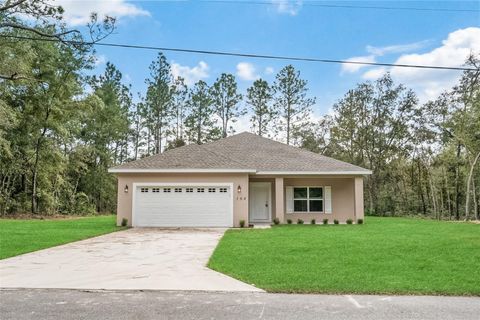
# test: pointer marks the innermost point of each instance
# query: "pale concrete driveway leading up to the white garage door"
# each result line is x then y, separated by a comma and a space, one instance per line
136, 259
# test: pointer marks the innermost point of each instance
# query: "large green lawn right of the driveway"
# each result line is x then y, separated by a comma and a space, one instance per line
383, 256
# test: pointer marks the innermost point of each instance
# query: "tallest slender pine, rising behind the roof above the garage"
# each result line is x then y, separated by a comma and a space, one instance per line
159, 100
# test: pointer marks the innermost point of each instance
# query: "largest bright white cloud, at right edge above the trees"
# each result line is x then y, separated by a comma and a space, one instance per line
429, 83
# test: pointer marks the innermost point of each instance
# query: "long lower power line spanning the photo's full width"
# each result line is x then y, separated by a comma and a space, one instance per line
243, 55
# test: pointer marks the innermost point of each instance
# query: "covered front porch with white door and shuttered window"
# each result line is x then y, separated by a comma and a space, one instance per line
304, 197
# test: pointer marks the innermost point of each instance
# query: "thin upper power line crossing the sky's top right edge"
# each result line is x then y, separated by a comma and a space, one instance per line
345, 6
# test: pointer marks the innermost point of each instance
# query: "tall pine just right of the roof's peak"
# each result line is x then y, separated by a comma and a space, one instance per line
259, 97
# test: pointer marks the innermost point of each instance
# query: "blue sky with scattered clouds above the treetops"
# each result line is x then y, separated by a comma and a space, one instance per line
294, 28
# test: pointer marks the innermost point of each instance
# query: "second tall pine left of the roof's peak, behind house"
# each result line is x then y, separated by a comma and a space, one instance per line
200, 125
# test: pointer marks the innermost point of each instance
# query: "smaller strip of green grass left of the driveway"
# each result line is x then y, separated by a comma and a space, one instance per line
22, 236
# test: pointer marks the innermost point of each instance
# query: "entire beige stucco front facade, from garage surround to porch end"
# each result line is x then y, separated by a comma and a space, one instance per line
347, 193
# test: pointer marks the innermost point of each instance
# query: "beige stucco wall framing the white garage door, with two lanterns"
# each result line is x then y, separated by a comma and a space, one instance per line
240, 200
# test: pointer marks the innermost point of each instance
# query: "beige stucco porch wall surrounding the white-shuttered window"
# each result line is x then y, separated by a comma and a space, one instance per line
343, 198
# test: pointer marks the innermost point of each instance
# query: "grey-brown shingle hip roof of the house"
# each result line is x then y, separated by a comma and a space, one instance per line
244, 151
